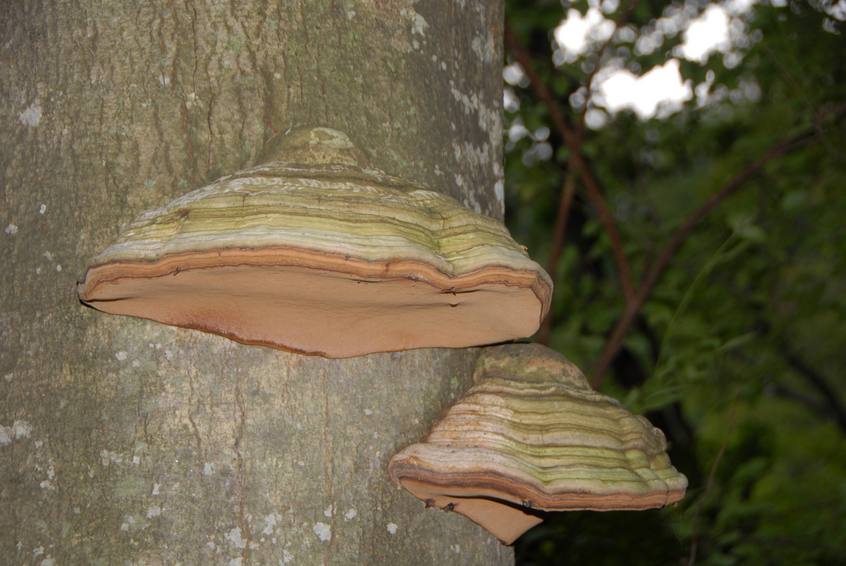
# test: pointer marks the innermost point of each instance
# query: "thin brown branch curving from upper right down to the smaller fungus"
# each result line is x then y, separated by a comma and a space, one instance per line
621, 329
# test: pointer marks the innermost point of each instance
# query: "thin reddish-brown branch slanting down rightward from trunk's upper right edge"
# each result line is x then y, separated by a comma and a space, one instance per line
573, 141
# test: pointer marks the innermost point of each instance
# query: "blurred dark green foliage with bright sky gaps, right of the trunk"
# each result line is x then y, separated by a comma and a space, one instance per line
680, 168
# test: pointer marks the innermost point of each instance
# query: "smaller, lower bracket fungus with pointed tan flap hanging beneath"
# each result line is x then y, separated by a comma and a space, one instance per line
531, 435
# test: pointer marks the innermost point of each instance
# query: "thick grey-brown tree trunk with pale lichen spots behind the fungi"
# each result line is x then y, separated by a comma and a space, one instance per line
126, 441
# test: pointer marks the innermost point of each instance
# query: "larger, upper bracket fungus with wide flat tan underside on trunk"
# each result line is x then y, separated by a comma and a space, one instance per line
313, 251
